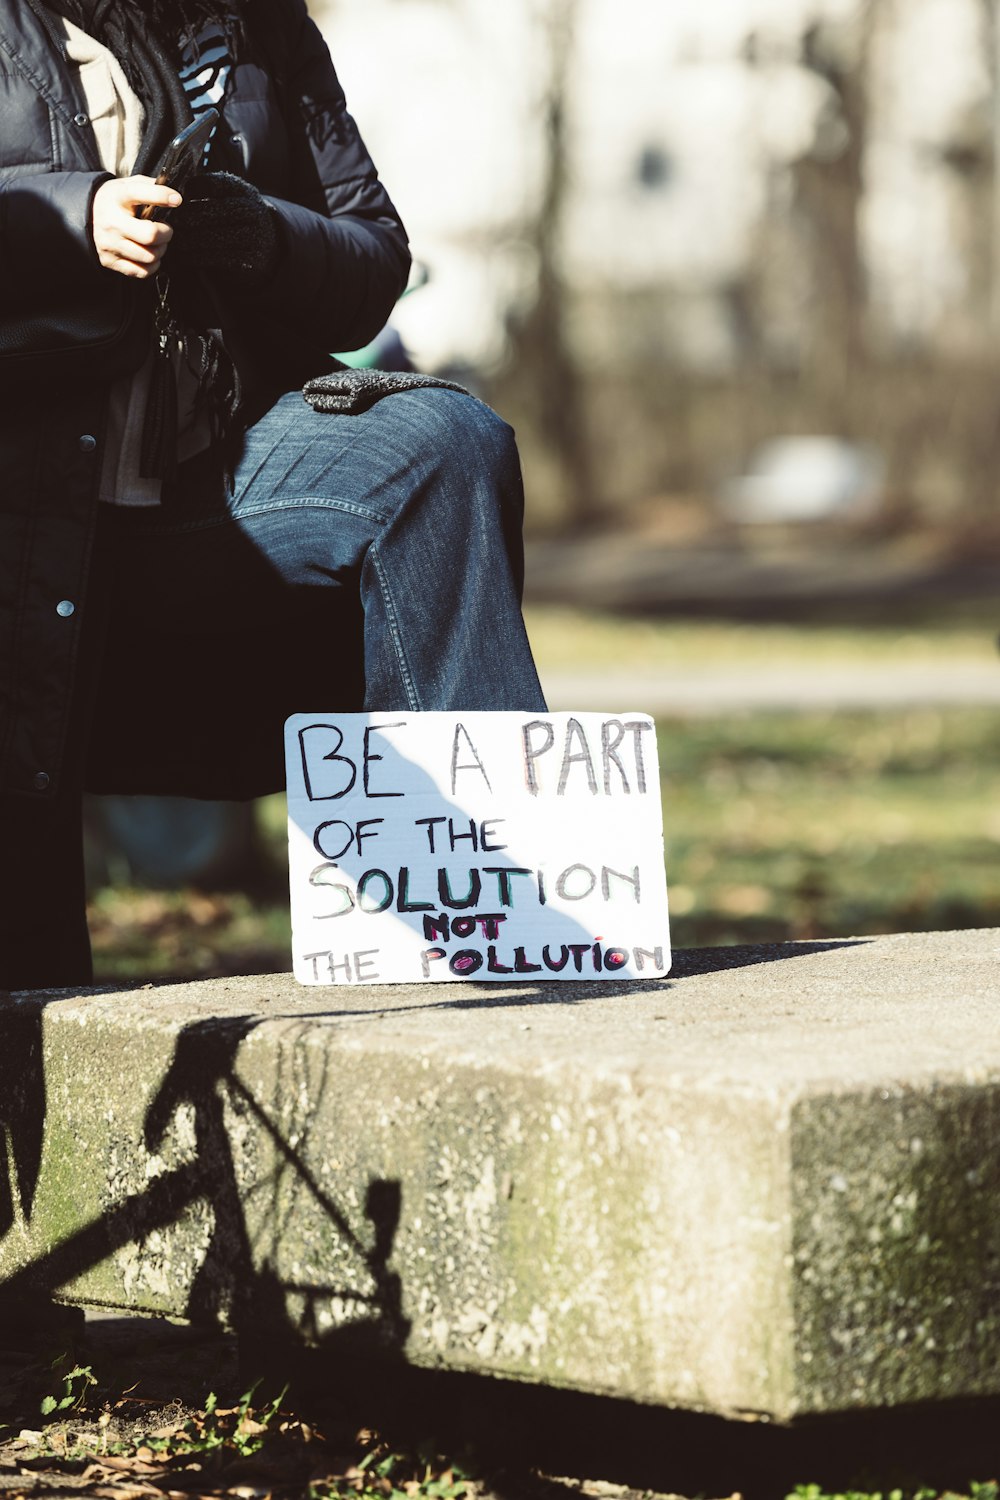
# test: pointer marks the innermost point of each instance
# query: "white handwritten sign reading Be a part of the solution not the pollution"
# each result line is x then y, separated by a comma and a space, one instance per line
431, 847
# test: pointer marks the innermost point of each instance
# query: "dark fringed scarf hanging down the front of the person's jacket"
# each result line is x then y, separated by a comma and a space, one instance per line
152, 64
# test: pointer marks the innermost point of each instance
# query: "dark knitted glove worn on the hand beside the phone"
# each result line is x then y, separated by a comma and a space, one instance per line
226, 226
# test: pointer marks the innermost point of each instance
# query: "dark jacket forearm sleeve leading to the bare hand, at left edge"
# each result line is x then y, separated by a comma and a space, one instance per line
46, 232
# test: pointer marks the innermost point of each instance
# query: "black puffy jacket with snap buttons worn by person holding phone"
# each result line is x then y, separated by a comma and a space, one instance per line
344, 265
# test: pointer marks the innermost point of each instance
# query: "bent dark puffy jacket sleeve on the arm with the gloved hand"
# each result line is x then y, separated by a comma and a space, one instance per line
346, 256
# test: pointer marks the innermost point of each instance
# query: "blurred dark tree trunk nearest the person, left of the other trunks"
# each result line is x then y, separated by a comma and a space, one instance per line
543, 365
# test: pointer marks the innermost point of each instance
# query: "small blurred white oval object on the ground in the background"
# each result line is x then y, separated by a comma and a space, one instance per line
807, 479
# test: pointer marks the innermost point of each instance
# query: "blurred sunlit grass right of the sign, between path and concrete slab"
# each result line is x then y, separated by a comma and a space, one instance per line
821, 826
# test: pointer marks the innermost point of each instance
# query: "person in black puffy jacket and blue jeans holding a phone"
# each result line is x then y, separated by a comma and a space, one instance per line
190, 551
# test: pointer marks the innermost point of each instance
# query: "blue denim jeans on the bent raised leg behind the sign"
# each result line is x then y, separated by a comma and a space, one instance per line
413, 509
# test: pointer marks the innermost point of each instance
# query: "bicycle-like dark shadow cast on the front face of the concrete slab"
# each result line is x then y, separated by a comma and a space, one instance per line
239, 1217
